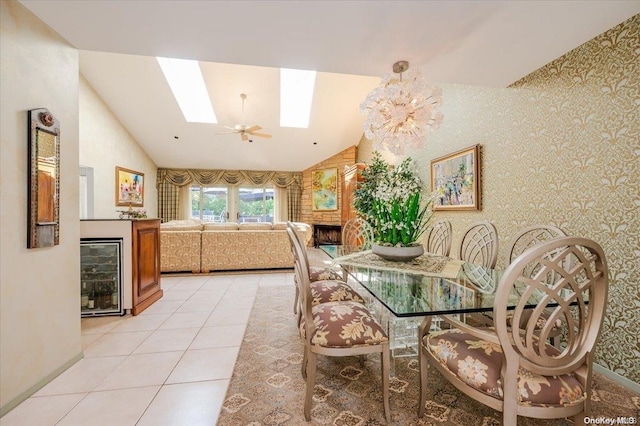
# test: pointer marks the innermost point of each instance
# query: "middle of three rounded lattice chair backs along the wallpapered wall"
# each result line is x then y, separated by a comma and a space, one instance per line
480, 245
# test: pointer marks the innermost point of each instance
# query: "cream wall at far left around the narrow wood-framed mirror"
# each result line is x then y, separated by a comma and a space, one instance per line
39, 298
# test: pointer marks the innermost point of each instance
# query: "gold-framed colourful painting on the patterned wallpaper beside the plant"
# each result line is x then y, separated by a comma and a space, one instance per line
455, 179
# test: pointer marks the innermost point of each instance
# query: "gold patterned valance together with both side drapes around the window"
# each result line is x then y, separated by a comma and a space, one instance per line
170, 180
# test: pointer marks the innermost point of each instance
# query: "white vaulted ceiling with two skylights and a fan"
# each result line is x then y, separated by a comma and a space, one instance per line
350, 43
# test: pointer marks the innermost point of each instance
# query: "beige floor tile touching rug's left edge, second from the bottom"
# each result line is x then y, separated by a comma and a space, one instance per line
205, 364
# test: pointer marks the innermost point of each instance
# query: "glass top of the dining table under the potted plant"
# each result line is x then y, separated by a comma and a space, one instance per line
407, 292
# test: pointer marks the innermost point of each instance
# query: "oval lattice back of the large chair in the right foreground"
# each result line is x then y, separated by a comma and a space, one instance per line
566, 270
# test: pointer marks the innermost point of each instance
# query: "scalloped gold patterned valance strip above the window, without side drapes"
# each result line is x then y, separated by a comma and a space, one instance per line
181, 177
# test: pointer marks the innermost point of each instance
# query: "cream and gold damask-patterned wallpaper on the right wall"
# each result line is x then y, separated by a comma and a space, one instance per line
561, 146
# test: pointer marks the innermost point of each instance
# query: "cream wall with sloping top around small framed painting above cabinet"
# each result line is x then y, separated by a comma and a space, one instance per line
104, 144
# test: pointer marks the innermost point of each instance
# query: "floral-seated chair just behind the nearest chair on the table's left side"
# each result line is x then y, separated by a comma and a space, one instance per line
323, 287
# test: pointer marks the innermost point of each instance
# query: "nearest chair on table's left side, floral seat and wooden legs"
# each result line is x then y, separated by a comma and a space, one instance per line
341, 328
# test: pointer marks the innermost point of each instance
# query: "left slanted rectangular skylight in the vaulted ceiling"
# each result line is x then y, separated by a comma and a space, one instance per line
186, 82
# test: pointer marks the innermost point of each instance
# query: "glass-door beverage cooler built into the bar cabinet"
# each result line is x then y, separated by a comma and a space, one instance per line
101, 276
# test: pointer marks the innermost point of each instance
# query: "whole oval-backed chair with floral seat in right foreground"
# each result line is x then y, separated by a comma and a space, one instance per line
515, 370
